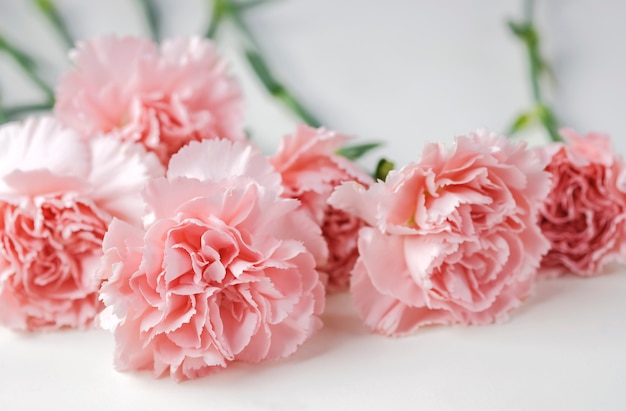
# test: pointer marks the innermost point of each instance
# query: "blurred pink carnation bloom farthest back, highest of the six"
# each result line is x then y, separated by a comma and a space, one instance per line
162, 98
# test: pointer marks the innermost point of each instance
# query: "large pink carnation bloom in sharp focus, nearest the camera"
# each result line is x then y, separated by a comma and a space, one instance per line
222, 270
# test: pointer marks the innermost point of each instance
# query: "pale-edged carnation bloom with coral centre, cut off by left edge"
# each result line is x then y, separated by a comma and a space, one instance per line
57, 196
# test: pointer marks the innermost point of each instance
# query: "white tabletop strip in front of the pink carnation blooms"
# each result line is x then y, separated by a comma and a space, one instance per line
563, 350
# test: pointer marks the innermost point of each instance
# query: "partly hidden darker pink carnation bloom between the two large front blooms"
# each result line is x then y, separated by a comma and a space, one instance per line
311, 169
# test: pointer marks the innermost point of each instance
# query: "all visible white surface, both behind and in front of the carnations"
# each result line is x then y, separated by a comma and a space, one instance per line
405, 72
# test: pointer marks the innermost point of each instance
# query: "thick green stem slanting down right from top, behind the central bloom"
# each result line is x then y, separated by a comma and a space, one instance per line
229, 9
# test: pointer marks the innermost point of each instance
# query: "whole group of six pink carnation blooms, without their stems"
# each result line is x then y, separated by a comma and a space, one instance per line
140, 206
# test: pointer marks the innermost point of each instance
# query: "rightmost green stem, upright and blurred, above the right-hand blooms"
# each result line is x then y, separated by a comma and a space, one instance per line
542, 112
